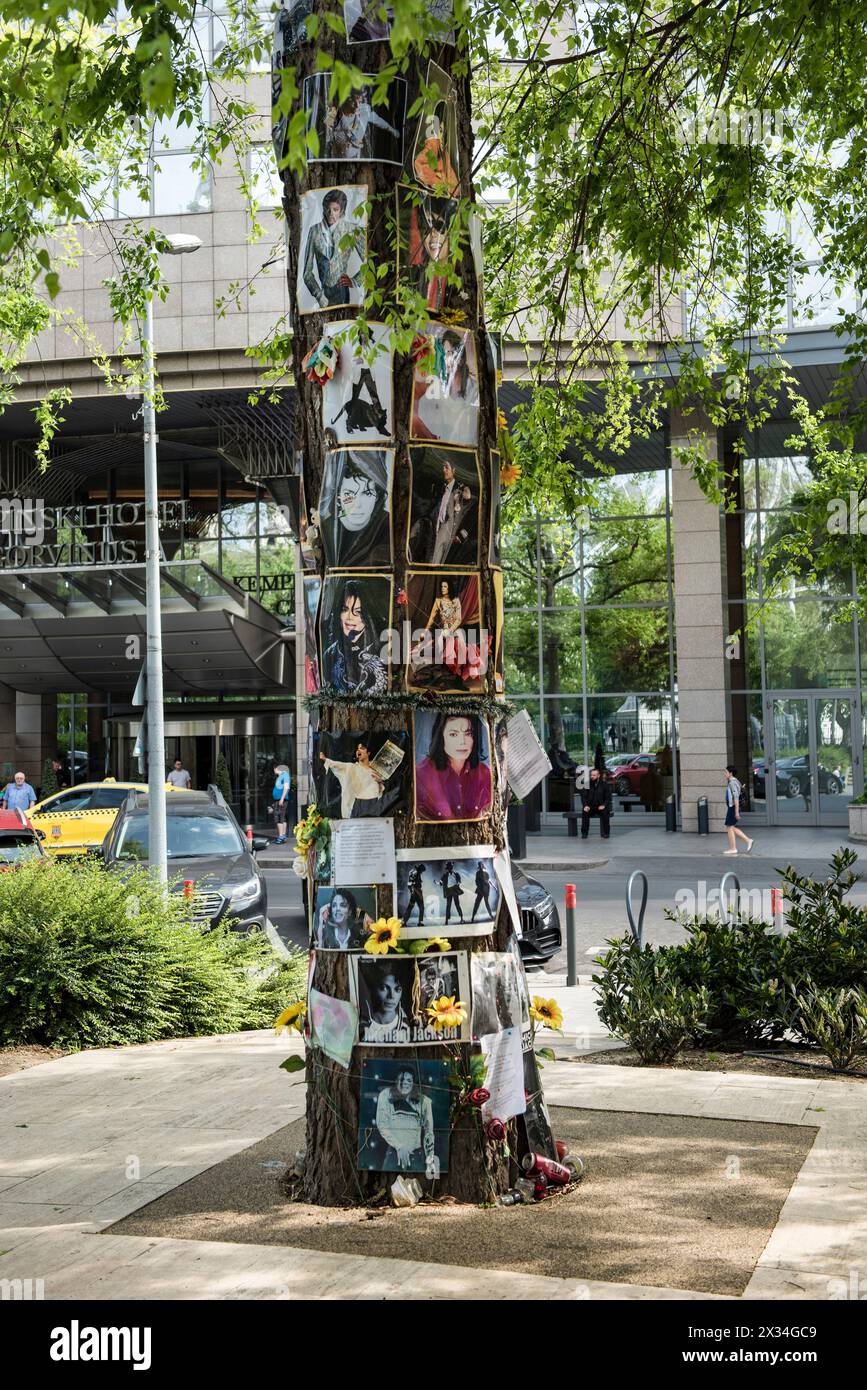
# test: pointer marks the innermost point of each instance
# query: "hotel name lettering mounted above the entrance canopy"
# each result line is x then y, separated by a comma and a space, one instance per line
34, 536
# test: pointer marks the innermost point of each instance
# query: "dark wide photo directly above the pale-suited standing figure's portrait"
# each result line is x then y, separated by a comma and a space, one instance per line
355, 131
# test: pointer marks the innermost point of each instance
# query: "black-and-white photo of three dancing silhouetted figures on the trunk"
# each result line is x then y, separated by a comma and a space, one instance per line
448, 890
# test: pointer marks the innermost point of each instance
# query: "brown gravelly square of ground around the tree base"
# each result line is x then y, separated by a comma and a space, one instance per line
669, 1202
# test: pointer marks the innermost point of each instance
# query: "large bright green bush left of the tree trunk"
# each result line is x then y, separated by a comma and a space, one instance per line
92, 960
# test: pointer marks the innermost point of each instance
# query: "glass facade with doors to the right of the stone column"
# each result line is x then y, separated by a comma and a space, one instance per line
807, 641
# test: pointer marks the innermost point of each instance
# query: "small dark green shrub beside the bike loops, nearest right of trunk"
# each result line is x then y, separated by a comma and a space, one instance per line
643, 1001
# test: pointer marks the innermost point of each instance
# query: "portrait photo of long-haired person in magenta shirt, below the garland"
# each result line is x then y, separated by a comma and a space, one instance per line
452, 765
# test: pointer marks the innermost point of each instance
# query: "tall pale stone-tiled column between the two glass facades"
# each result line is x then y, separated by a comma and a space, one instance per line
701, 629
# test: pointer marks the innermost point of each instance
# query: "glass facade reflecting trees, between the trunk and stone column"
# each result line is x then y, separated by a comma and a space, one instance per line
590, 641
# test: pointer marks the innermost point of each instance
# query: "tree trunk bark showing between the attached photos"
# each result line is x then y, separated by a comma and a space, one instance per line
477, 1170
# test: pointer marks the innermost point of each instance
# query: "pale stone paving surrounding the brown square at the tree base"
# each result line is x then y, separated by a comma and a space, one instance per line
92, 1138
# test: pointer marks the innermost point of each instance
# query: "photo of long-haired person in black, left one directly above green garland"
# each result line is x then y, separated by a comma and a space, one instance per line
355, 633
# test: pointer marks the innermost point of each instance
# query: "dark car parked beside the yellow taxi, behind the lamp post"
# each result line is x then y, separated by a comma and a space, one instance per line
206, 849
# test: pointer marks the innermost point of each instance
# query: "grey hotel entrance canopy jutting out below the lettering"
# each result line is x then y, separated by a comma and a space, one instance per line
84, 629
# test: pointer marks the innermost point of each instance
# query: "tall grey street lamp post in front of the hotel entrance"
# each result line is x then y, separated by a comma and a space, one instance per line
158, 857
